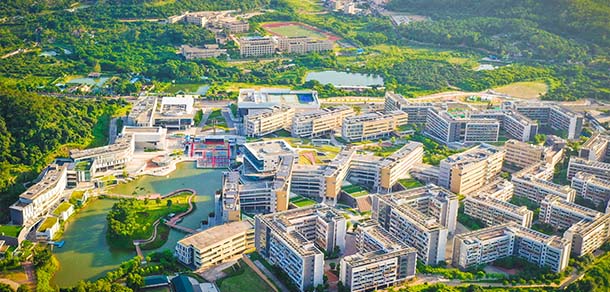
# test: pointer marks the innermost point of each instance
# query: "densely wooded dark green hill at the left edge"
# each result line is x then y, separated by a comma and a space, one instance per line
33, 128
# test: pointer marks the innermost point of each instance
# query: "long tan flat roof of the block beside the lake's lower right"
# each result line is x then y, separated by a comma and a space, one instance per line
216, 234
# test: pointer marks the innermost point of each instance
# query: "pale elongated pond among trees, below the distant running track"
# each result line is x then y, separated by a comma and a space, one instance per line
344, 79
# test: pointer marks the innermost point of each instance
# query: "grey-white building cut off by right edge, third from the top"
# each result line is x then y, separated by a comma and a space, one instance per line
591, 188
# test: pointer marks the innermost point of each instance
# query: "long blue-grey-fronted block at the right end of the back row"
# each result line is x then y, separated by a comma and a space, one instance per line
550, 115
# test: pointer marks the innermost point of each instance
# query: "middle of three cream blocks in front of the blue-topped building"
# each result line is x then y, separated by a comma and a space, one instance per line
320, 122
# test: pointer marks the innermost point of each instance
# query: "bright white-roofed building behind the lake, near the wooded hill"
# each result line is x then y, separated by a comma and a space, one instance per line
175, 112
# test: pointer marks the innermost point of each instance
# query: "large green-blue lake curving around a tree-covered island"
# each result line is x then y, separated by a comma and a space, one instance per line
87, 256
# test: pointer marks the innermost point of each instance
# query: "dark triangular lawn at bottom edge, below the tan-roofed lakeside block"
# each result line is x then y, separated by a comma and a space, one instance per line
242, 278
